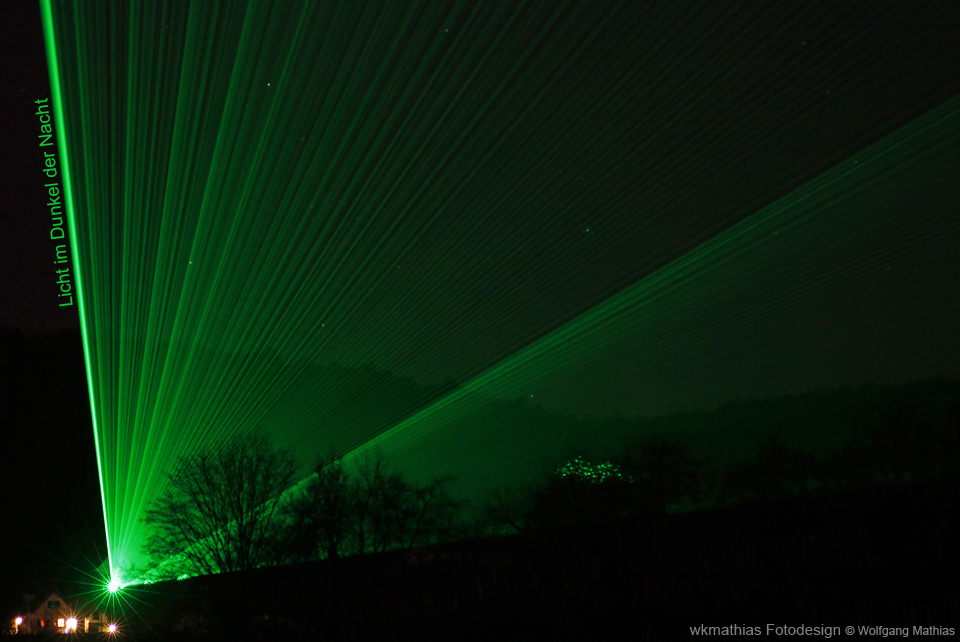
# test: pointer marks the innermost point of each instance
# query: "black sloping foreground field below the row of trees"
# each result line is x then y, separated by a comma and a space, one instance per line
883, 558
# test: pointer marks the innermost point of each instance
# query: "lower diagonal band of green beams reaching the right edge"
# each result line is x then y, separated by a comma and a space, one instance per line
845, 217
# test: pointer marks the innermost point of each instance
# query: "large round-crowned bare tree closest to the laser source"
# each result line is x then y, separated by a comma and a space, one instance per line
219, 511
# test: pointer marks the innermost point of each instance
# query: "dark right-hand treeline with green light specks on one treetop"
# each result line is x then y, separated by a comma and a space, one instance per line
913, 435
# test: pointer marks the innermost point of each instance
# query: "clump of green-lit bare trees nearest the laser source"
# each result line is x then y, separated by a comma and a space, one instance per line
234, 507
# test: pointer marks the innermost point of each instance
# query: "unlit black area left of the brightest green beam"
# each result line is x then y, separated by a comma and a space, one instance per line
48, 487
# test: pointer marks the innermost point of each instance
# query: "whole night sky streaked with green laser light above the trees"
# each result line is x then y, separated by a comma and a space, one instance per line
596, 210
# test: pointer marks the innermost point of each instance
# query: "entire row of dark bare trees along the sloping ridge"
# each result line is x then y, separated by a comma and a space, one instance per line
376, 507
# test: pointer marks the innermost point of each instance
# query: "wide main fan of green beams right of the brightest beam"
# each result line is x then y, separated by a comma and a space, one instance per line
312, 217
